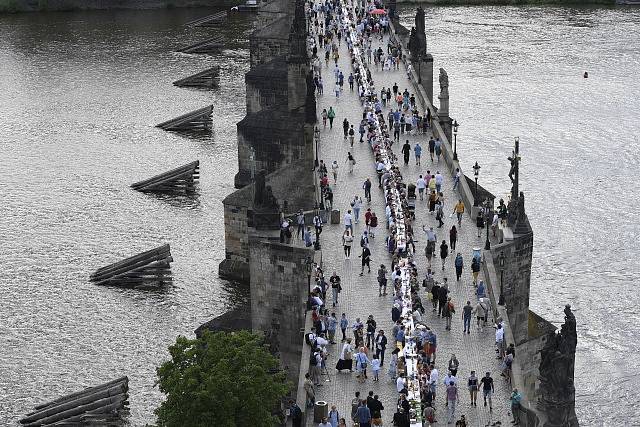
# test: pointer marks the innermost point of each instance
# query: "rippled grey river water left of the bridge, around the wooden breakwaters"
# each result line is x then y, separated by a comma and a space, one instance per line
80, 94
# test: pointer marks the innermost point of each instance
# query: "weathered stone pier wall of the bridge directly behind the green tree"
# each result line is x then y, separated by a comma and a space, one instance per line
279, 291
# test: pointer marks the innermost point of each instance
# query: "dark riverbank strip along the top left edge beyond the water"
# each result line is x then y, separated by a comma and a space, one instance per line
17, 6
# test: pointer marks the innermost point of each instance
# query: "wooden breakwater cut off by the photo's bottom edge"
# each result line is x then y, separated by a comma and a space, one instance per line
100, 405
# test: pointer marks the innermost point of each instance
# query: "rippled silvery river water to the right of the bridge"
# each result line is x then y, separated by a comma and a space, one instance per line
518, 72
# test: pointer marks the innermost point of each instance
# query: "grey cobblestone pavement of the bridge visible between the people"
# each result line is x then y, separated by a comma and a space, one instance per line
359, 297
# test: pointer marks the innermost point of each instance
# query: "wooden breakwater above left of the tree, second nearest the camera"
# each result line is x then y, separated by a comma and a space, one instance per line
147, 269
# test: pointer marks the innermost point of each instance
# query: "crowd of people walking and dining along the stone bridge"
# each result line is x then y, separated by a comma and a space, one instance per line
363, 345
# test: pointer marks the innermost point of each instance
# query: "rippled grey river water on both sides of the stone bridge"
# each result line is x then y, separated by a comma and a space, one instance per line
80, 93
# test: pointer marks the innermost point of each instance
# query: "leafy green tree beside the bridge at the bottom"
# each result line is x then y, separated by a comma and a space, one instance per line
221, 379
